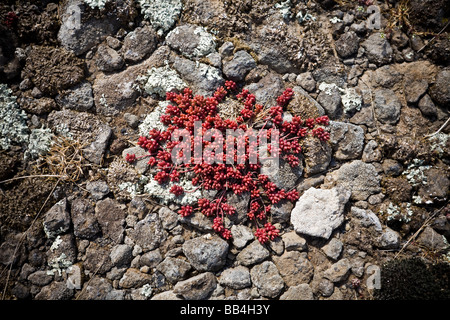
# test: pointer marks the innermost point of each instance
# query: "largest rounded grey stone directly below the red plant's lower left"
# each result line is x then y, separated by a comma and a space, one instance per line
206, 253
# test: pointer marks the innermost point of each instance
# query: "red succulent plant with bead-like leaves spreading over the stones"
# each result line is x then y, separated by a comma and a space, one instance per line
193, 121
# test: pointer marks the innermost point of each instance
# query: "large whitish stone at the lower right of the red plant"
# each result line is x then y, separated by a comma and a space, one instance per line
319, 211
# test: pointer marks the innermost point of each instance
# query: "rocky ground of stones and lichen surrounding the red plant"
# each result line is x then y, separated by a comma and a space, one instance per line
82, 80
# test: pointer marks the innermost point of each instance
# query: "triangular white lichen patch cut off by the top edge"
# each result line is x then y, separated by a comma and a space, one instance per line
162, 14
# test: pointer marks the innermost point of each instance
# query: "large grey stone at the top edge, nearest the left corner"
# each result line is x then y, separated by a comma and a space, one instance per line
80, 36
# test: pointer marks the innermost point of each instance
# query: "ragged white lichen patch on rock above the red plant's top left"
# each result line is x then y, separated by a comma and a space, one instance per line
161, 80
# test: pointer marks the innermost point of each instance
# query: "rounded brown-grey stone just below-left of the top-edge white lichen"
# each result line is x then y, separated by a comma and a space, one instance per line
139, 43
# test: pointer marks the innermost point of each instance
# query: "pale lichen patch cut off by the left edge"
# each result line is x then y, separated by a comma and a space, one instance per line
13, 120
